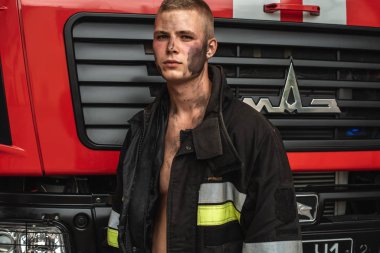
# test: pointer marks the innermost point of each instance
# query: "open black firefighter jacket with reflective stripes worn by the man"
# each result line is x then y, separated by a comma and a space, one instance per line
230, 186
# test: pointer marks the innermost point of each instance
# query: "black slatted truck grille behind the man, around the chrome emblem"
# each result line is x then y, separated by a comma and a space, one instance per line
112, 74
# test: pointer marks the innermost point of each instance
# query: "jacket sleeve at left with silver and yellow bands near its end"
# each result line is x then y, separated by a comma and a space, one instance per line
113, 222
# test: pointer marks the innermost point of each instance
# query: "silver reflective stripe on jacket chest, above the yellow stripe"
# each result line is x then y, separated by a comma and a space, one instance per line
213, 193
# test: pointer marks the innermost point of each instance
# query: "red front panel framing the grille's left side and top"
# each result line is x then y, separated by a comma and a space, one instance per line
61, 149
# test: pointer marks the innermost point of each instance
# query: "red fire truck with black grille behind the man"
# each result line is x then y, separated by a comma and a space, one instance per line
73, 72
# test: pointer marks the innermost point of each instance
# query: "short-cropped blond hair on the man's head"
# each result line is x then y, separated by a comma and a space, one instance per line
198, 5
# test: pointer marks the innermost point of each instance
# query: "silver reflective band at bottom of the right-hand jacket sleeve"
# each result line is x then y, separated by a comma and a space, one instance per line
273, 247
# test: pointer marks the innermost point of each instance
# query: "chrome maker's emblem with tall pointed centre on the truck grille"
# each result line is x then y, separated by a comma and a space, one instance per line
325, 105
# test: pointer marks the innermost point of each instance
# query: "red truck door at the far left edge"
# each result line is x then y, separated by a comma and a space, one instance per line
18, 145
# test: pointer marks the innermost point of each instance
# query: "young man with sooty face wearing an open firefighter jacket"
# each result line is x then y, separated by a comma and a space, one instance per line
203, 172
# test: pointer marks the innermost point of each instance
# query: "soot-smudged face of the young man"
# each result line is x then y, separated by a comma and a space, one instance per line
180, 44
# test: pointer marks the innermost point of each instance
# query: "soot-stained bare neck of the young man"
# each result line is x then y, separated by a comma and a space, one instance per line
189, 99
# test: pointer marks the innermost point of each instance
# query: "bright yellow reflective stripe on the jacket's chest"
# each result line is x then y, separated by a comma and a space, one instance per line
214, 215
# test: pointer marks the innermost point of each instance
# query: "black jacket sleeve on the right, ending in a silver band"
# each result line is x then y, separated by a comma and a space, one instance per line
269, 215
